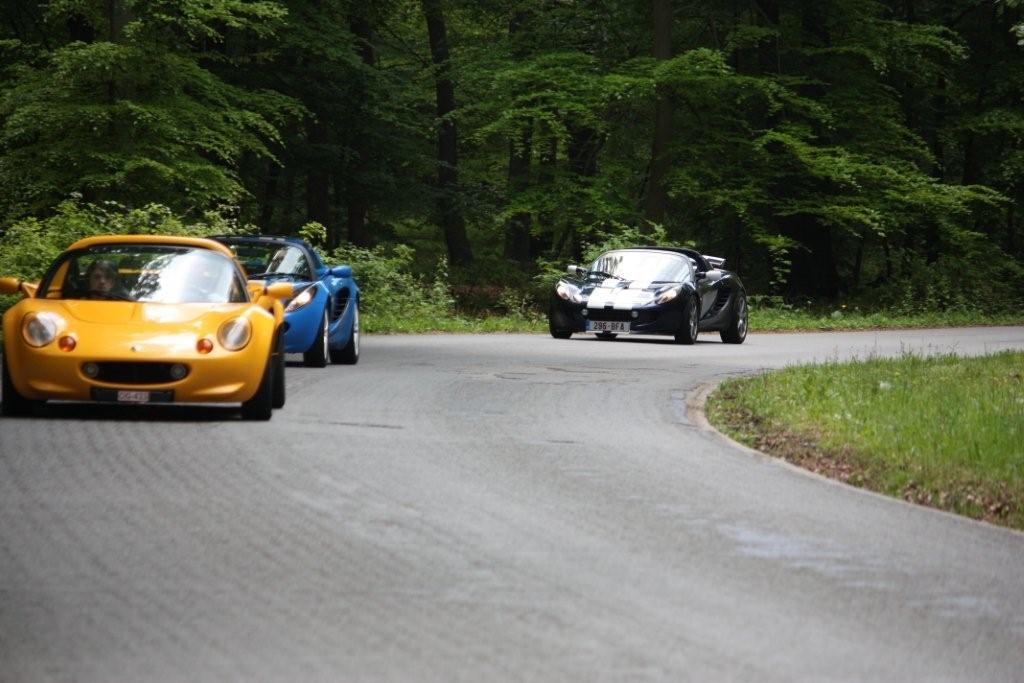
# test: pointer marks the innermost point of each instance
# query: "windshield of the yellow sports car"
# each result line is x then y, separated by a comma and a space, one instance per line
152, 274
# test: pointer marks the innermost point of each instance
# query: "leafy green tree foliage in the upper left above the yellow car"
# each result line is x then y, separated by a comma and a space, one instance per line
135, 117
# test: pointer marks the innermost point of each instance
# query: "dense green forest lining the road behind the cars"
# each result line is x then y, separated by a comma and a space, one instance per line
831, 151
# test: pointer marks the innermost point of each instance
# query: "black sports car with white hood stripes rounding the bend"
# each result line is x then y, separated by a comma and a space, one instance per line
652, 291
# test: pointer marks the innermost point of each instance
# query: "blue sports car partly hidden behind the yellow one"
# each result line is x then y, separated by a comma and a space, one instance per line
322, 320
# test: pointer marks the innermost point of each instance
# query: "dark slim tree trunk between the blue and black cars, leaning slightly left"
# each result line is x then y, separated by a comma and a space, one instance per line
449, 212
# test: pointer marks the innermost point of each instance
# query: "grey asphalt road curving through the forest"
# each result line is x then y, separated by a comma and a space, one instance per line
495, 508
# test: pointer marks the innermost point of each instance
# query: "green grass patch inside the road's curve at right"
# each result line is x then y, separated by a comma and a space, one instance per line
943, 432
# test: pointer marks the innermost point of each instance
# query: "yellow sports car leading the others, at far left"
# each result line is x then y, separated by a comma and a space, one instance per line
145, 320
